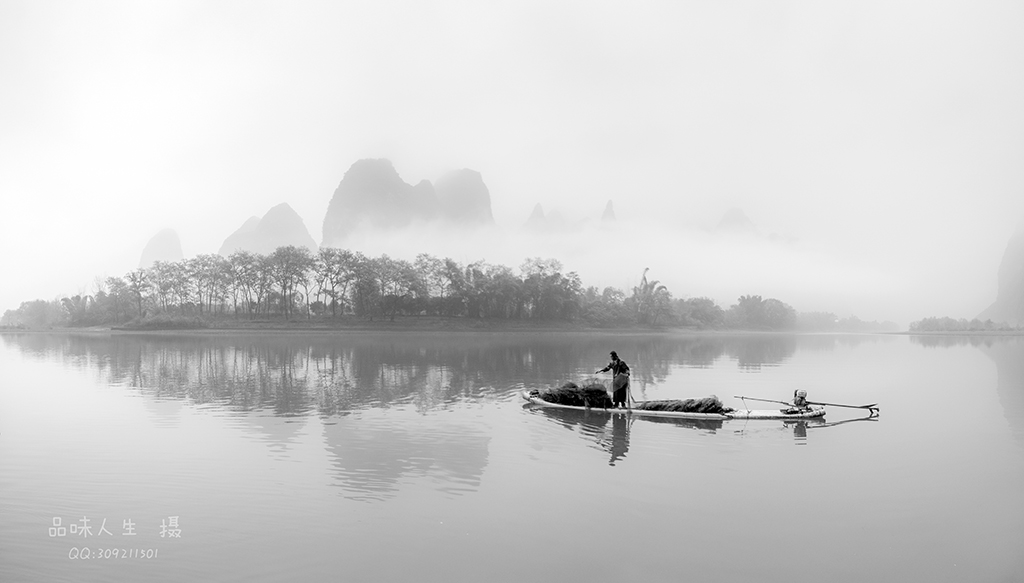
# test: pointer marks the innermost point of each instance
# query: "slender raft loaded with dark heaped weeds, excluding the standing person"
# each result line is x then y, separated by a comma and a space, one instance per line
595, 398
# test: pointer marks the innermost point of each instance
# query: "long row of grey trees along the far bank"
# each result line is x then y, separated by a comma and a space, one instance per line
294, 283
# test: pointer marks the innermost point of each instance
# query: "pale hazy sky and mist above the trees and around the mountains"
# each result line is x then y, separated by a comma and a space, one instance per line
882, 142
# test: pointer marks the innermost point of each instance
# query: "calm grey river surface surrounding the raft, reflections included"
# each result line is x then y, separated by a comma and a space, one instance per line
396, 457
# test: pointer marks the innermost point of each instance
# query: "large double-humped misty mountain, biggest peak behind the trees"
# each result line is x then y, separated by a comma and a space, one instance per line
373, 194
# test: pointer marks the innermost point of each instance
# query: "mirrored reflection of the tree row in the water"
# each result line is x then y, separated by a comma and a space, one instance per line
292, 374
